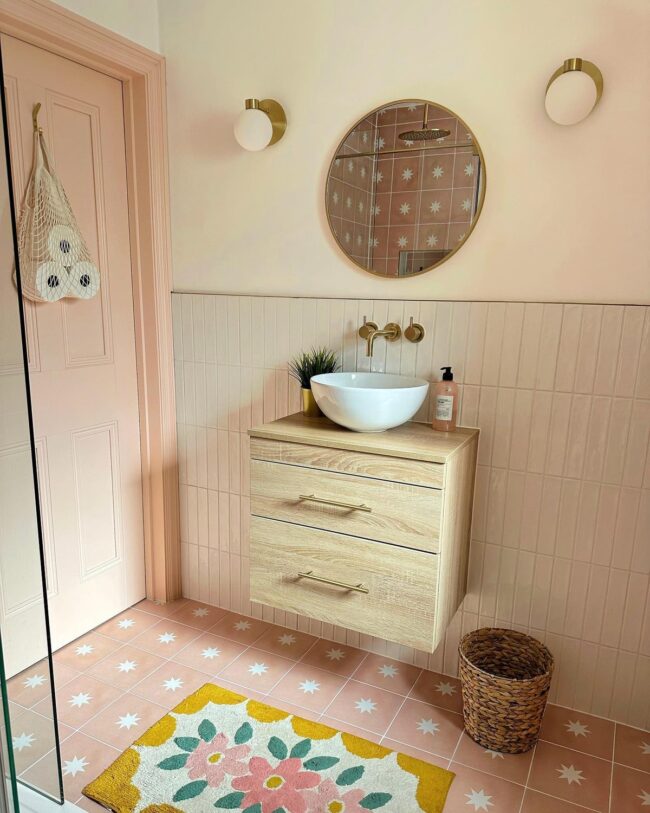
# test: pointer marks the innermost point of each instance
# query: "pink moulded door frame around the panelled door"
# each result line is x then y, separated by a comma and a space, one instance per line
142, 74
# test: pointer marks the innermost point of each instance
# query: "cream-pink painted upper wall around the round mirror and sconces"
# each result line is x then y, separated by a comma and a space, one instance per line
567, 209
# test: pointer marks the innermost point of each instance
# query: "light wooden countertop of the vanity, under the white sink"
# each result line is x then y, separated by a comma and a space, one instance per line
414, 441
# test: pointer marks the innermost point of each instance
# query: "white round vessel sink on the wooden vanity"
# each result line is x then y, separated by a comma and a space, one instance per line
369, 402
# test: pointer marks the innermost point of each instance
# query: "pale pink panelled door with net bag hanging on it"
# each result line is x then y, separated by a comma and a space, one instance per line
82, 353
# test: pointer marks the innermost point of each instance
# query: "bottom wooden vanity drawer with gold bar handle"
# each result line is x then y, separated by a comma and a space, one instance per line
395, 595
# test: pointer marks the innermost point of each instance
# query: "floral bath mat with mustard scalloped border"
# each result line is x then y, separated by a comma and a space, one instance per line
218, 750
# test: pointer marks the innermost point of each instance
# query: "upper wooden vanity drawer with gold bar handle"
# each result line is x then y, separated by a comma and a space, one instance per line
375, 509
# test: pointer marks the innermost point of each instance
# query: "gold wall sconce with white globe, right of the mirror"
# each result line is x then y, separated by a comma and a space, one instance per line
573, 91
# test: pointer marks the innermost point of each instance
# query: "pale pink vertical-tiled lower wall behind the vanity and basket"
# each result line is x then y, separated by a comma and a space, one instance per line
561, 532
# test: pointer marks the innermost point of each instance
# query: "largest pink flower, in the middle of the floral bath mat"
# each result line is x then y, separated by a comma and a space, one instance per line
274, 787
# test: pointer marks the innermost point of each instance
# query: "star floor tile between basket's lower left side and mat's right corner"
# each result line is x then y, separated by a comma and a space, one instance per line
426, 727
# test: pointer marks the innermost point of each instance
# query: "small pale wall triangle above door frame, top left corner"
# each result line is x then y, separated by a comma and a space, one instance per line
137, 21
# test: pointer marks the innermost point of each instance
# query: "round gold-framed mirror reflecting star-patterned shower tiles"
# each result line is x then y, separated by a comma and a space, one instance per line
405, 188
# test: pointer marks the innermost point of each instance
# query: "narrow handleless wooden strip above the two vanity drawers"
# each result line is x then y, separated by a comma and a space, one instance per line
378, 466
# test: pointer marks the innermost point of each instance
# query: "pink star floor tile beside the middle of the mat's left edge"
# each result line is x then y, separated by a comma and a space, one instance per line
121, 723
